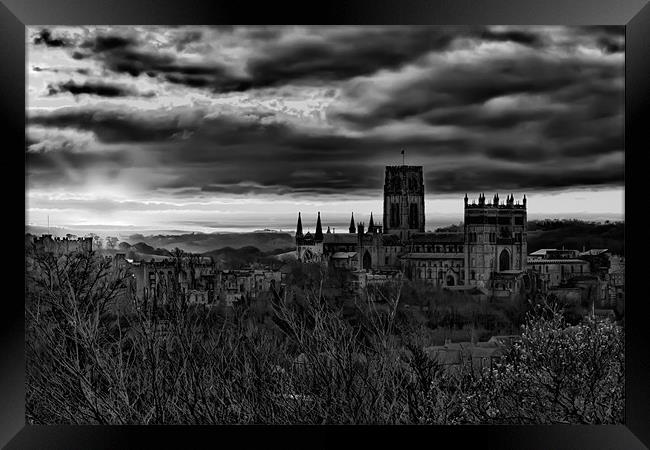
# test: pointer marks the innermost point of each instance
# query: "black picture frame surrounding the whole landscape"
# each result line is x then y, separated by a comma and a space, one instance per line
15, 15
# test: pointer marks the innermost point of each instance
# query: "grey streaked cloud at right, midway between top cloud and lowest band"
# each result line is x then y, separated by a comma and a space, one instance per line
467, 86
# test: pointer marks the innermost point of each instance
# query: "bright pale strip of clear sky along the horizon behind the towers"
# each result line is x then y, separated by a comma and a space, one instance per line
243, 214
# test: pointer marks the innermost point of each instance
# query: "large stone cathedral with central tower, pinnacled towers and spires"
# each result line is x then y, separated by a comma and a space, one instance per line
489, 254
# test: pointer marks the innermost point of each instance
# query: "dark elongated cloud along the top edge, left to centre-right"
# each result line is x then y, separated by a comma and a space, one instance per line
339, 55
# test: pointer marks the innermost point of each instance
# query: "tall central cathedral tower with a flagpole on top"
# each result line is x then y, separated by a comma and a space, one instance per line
403, 200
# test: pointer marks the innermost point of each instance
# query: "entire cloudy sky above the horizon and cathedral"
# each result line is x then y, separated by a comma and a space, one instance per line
227, 128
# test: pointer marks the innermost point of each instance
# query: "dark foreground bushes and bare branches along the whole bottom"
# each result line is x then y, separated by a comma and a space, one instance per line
174, 363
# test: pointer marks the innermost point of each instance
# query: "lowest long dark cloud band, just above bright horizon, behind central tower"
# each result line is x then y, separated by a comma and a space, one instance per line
226, 154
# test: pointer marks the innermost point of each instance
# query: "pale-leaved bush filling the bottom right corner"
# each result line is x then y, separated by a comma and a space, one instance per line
557, 373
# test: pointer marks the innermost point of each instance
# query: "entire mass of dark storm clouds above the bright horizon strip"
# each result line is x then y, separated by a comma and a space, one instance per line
524, 119
